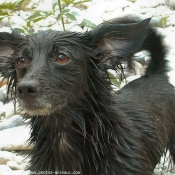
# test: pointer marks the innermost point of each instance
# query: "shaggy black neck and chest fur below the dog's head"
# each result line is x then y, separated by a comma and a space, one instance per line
71, 139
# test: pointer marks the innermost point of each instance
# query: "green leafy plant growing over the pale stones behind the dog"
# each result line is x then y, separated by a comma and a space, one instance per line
61, 12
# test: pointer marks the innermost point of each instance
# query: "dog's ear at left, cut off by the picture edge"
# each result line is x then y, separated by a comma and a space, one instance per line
8, 43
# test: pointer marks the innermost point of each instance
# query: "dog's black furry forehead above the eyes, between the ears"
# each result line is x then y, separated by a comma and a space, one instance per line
47, 41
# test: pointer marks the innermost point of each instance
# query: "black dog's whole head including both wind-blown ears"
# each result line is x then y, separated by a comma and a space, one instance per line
51, 70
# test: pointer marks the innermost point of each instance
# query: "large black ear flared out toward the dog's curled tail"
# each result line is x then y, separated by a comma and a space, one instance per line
116, 41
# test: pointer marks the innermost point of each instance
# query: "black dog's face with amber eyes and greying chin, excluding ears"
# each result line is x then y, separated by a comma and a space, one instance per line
51, 70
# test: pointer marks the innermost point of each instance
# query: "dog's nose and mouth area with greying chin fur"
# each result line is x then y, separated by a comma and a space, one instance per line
39, 102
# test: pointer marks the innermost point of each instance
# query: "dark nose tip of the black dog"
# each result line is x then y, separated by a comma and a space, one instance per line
27, 89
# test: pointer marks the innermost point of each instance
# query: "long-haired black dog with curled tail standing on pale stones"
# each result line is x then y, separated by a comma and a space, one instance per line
77, 122
